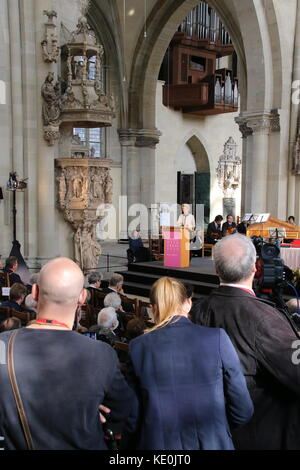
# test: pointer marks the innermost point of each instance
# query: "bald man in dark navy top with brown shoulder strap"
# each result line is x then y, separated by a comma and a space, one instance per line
67, 393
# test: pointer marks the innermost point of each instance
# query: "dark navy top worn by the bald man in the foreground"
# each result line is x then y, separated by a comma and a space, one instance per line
61, 397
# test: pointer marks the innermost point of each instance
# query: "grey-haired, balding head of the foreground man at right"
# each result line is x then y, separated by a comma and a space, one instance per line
235, 257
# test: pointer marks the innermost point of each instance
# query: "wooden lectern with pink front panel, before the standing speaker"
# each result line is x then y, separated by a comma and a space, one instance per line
177, 247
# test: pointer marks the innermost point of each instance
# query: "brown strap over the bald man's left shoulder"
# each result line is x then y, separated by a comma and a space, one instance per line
16, 392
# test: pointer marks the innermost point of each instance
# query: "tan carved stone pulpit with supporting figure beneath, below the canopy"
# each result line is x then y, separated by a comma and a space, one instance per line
83, 185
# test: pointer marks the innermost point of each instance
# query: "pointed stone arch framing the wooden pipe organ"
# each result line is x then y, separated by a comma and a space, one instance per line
253, 30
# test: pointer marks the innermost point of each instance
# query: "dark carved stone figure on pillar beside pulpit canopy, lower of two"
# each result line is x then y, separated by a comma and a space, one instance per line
51, 101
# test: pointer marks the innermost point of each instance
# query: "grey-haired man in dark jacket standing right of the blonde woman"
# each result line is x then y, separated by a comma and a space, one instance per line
263, 337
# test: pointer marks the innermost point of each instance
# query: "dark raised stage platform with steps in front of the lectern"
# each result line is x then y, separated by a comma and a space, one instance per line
201, 274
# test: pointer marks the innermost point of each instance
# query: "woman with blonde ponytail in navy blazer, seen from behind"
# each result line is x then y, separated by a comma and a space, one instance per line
190, 380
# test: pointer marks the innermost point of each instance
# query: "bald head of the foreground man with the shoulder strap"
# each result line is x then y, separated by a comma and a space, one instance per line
60, 282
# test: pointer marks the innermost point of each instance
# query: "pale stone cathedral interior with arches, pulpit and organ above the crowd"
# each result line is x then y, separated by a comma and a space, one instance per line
132, 104
